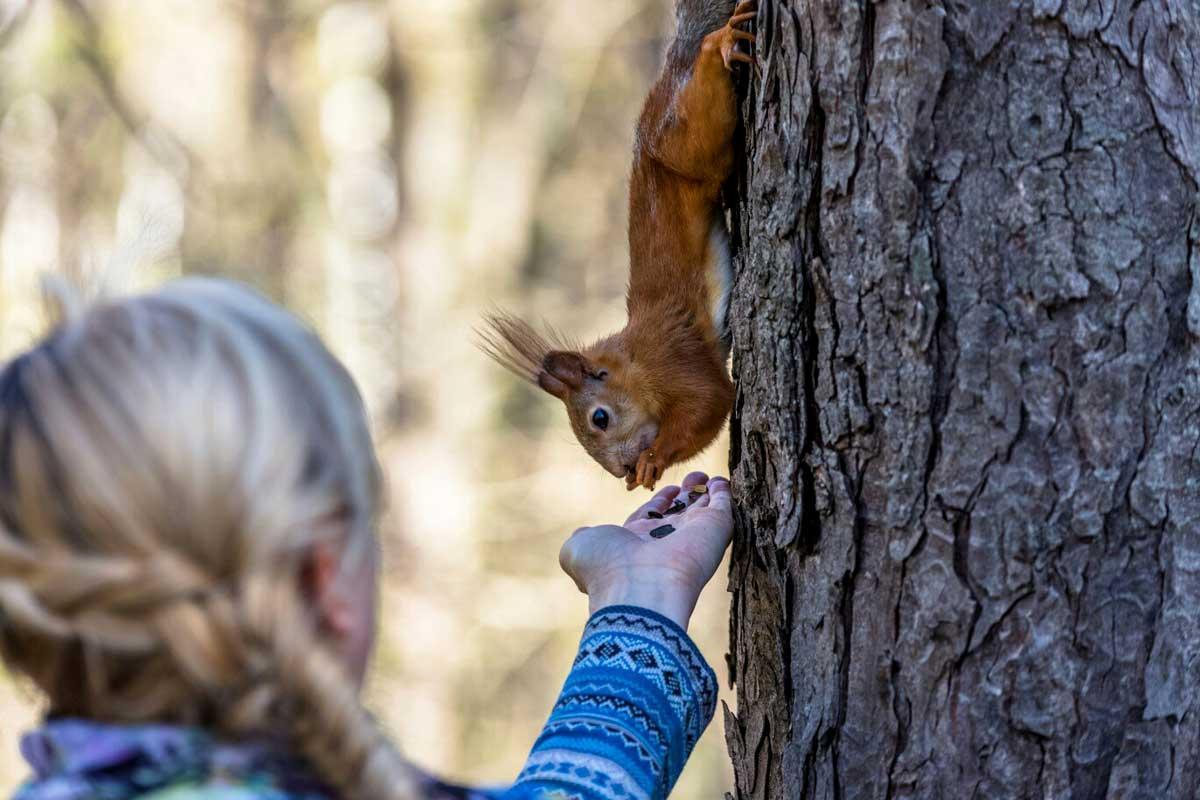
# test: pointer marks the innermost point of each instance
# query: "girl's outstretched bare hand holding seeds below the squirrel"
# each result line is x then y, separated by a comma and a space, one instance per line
662, 557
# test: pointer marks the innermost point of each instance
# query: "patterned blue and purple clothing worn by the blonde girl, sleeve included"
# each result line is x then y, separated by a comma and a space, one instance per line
632, 711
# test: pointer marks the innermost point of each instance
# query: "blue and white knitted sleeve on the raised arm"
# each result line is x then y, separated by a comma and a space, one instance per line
634, 706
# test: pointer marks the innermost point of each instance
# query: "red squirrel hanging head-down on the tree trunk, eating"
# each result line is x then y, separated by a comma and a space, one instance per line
658, 393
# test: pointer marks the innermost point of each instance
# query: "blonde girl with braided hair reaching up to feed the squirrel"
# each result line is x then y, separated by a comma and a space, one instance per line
189, 564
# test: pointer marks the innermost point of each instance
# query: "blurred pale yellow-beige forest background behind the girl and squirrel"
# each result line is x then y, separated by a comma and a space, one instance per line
387, 170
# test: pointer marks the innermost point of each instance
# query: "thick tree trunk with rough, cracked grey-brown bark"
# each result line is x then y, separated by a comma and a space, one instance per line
968, 432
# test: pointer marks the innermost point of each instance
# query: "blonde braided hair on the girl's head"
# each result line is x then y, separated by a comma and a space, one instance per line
167, 464
